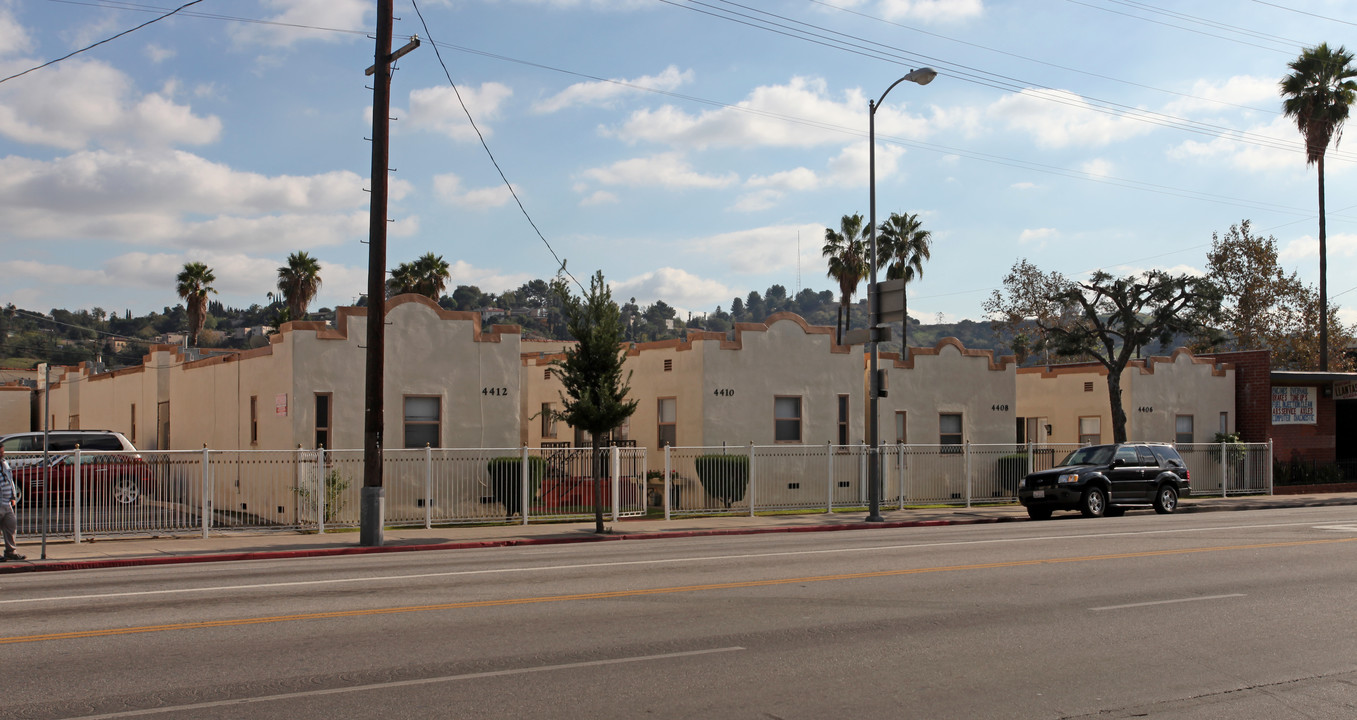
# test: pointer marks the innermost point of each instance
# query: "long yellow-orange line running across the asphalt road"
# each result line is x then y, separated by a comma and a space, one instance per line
649, 592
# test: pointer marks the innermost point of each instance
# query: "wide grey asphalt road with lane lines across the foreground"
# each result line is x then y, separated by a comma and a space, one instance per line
1204, 616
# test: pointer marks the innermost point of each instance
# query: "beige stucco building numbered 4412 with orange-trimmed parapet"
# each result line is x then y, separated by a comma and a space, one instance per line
448, 383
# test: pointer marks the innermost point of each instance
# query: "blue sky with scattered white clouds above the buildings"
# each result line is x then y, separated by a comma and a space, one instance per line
690, 151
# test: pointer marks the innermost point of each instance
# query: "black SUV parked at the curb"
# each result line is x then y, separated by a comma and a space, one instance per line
1107, 479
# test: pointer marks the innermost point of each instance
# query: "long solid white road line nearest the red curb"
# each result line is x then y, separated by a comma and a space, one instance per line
625, 563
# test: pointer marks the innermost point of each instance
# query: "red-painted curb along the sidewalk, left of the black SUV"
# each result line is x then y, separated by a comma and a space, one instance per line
60, 566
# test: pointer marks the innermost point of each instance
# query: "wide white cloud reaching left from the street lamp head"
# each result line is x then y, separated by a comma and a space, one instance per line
758, 121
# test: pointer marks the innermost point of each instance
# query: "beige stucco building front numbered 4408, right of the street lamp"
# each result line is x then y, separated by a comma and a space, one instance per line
951, 379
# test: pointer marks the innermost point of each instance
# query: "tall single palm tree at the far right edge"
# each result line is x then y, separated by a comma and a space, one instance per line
1318, 94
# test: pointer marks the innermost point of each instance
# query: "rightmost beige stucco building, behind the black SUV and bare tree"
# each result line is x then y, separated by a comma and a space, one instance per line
1155, 391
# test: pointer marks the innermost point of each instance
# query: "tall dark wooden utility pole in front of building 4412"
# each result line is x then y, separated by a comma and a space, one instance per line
372, 515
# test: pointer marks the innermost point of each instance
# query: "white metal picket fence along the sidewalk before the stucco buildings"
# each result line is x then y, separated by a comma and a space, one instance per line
200, 493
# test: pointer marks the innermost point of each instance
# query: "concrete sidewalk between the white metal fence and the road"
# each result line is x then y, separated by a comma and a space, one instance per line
64, 555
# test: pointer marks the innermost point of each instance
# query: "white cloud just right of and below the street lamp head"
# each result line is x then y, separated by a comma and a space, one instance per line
1058, 119
